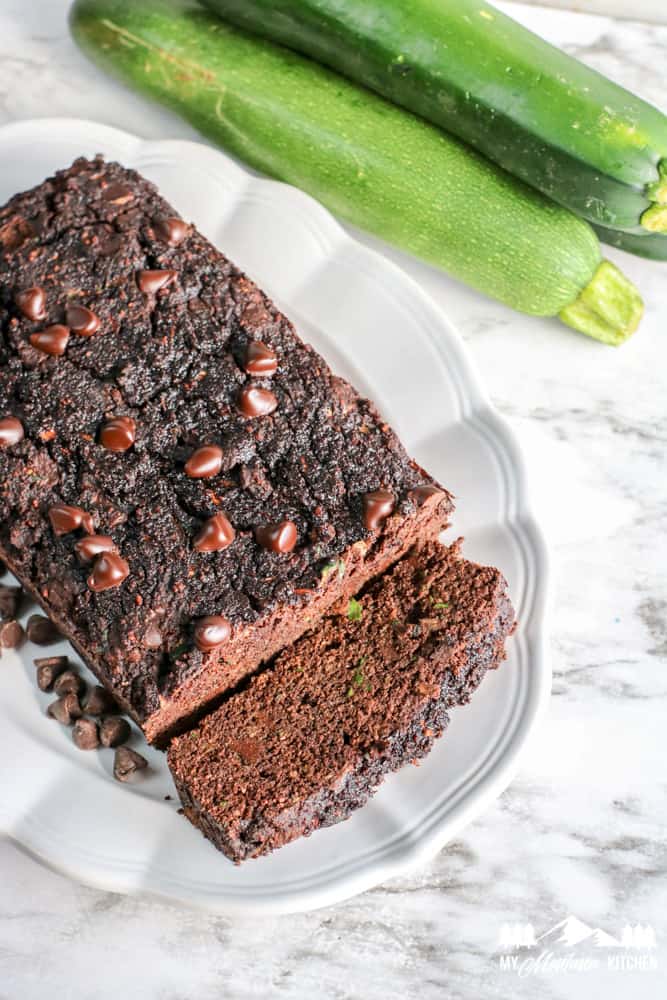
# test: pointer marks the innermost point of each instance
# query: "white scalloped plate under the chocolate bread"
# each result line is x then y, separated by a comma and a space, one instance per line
378, 329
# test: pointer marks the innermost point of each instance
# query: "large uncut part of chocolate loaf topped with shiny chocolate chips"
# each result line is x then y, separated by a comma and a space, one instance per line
185, 486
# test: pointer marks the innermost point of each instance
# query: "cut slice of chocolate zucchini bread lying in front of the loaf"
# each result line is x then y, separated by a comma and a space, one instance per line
309, 739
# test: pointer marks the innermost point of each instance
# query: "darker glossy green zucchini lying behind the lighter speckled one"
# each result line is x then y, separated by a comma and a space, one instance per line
542, 115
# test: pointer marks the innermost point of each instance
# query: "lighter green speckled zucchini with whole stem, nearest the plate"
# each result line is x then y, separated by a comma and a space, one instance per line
368, 161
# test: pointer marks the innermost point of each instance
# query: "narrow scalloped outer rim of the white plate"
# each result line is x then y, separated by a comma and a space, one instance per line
408, 850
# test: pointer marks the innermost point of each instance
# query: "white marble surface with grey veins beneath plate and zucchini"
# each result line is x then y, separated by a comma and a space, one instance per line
582, 829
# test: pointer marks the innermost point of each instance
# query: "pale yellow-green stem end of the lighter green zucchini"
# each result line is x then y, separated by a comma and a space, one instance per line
609, 308
